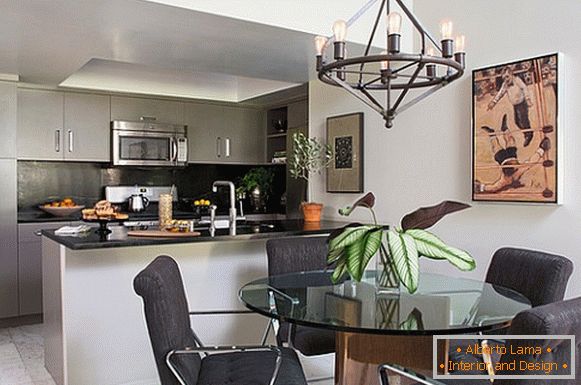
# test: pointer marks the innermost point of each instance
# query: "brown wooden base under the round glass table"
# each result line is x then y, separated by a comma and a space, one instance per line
358, 355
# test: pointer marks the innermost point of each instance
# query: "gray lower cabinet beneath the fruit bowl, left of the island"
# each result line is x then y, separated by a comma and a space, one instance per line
30, 266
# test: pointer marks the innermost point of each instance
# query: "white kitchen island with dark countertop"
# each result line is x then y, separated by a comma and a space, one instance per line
95, 331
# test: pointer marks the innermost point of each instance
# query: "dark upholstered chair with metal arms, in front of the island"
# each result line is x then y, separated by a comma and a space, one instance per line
176, 347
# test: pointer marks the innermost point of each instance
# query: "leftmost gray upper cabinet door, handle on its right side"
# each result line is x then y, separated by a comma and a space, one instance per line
40, 125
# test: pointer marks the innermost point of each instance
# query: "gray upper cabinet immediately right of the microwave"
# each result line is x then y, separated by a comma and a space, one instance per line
224, 134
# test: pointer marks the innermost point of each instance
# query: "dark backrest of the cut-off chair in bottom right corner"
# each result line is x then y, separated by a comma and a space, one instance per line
558, 318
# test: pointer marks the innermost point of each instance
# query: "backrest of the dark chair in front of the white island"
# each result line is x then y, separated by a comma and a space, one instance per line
167, 315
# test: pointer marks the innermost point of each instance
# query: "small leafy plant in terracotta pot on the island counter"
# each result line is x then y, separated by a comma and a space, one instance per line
309, 156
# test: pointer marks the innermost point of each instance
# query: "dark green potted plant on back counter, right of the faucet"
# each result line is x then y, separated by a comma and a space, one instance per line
257, 182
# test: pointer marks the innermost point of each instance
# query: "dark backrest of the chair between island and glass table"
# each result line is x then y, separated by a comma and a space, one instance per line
294, 254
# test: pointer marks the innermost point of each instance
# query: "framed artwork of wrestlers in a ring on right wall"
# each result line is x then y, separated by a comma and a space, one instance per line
515, 131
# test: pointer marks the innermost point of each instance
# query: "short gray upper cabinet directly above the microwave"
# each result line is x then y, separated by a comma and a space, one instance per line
134, 109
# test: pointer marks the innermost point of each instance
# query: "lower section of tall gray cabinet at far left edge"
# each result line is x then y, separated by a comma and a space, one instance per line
8, 240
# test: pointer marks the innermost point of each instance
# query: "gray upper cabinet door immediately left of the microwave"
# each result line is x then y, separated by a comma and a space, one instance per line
87, 132
